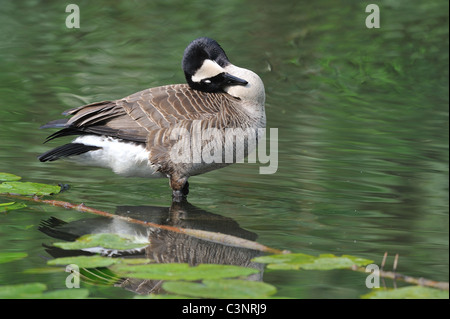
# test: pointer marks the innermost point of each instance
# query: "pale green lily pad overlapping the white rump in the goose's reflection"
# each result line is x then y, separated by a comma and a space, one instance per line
105, 240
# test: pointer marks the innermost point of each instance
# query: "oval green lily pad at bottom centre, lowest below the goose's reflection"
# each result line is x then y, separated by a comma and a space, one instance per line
222, 288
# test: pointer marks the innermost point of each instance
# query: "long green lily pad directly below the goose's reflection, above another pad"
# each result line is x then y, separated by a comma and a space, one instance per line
175, 271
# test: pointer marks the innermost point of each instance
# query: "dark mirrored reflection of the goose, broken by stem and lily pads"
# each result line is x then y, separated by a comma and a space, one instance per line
165, 246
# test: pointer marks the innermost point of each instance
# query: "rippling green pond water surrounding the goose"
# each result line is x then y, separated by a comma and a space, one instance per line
362, 118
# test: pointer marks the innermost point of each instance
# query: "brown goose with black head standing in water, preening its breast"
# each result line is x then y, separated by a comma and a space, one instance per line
134, 135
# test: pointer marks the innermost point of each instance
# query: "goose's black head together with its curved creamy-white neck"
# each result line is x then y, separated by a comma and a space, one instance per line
207, 68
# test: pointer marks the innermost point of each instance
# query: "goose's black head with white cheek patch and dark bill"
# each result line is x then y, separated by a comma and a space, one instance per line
203, 65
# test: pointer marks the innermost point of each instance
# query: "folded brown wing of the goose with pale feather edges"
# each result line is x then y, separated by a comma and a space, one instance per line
142, 114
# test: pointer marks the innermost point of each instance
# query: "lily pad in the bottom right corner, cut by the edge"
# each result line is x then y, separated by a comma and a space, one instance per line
410, 292
